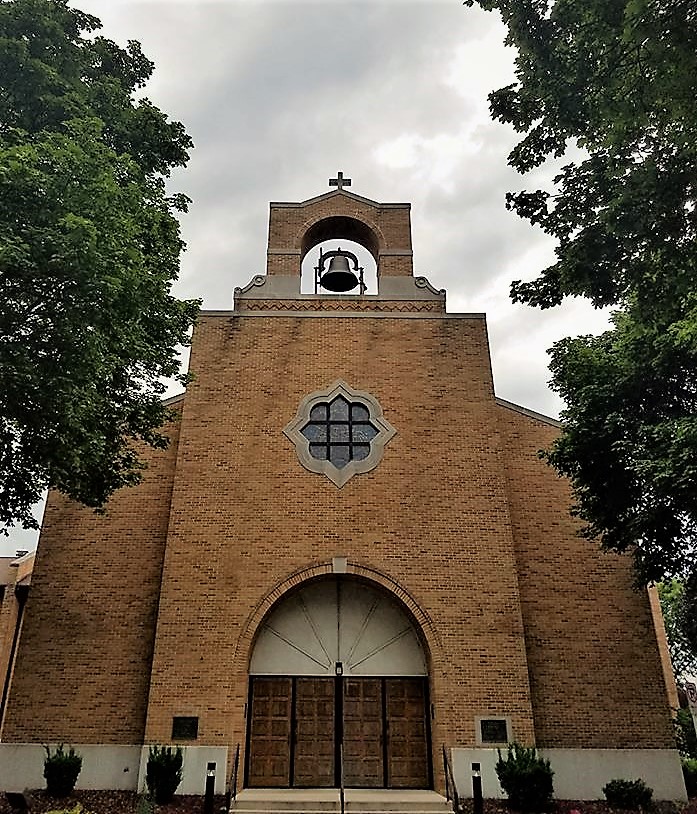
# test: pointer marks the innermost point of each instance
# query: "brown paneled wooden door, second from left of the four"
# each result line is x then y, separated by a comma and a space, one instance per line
314, 732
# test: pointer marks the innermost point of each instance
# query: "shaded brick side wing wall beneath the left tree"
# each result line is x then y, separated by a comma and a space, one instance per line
83, 665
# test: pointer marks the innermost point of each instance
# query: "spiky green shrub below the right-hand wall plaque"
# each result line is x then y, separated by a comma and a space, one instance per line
525, 777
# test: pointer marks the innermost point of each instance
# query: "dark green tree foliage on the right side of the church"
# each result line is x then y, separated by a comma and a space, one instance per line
610, 86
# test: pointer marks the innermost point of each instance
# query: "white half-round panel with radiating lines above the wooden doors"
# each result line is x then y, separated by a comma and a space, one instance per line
338, 621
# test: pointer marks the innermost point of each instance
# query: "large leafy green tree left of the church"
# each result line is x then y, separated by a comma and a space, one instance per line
89, 249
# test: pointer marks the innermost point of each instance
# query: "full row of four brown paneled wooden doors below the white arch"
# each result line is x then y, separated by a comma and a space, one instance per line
306, 731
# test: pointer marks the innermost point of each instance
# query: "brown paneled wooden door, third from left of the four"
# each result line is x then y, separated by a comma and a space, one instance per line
363, 732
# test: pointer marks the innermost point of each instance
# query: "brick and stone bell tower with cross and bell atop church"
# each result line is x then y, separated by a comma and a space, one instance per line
297, 229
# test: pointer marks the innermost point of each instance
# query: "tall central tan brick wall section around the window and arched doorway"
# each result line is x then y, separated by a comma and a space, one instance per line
431, 517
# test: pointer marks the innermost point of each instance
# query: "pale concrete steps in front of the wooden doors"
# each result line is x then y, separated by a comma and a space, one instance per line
326, 801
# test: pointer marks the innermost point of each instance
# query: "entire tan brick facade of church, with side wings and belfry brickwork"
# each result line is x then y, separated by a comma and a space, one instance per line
461, 520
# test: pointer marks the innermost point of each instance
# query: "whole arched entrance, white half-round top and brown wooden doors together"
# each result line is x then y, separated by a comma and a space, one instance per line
338, 690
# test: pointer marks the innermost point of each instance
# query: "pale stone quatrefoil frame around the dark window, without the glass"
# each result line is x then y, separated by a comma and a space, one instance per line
339, 477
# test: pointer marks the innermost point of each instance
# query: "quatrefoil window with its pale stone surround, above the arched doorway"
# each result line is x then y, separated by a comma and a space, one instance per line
339, 432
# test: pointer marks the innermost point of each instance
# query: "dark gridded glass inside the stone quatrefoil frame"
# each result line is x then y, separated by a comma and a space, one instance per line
339, 431
